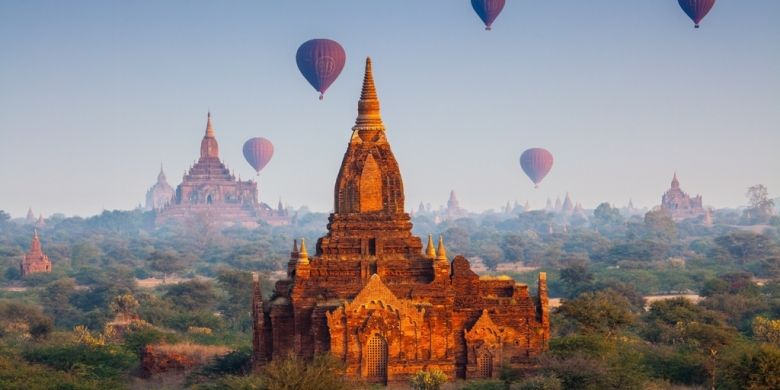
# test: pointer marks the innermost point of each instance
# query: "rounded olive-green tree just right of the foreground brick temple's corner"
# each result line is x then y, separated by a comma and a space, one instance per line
604, 312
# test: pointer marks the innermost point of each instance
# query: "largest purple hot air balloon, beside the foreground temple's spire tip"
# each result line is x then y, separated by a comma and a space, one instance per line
320, 61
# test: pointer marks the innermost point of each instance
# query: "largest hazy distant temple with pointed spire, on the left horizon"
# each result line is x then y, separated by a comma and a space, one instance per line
209, 190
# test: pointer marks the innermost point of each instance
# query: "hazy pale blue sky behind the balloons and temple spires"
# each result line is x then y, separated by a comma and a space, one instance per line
95, 95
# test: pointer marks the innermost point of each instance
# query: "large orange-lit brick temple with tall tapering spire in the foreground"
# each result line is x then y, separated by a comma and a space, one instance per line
373, 297
